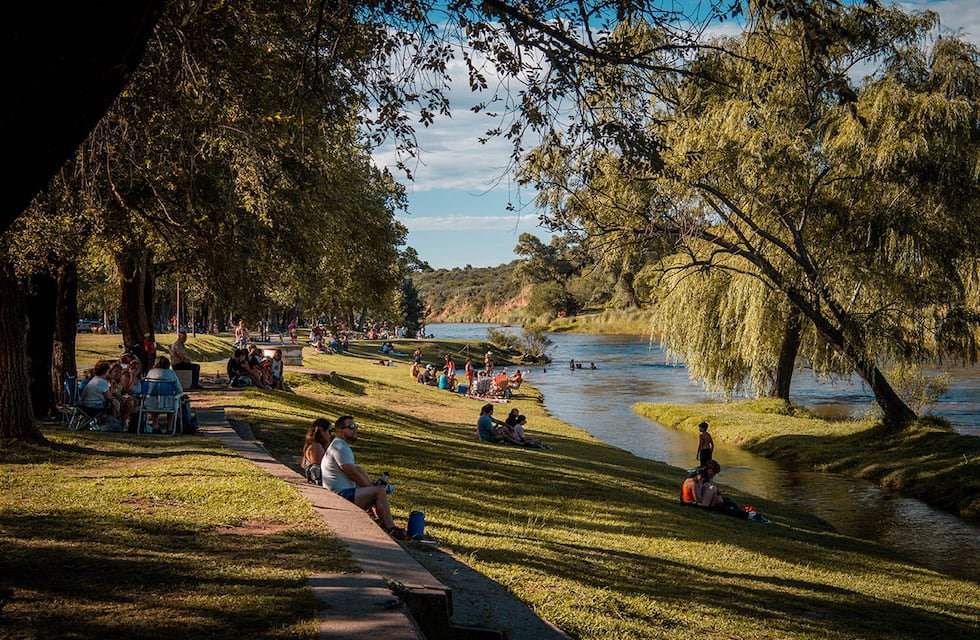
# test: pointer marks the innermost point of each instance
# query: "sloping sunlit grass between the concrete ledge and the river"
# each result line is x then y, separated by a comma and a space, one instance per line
593, 538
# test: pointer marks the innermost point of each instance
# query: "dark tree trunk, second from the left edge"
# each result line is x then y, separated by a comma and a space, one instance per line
41, 306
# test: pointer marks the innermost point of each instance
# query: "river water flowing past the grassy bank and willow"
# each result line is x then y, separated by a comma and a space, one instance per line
631, 369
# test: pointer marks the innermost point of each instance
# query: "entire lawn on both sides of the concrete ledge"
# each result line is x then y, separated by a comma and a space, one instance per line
591, 537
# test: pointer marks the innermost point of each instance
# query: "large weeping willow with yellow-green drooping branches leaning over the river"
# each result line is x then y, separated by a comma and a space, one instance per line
853, 207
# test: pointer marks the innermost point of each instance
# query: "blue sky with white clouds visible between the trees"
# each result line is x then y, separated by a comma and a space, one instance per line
465, 209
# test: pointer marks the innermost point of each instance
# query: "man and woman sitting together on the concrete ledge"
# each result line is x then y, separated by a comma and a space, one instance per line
327, 449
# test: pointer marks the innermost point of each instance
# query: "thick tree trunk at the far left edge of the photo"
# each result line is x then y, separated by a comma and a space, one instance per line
16, 417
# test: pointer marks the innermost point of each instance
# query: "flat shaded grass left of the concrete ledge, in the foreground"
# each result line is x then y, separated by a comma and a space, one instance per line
118, 536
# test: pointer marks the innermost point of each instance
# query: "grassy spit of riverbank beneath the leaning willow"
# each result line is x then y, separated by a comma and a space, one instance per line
926, 460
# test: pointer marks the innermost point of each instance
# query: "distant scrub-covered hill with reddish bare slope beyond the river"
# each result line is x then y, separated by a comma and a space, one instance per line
472, 294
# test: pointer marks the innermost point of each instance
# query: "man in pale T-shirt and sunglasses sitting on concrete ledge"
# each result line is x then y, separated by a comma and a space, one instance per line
351, 482
